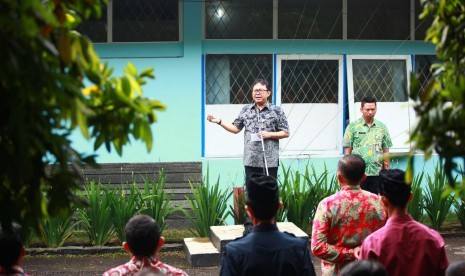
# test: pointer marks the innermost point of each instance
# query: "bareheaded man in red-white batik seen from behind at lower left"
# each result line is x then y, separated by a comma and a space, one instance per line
143, 242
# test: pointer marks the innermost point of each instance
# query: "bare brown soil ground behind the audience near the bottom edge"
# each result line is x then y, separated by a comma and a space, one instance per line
98, 263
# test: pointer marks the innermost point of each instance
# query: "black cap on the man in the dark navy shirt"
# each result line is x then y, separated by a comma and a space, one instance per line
262, 189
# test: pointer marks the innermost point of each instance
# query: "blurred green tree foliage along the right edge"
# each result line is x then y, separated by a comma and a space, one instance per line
440, 107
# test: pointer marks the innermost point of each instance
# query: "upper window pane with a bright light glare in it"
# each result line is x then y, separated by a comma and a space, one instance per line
239, 19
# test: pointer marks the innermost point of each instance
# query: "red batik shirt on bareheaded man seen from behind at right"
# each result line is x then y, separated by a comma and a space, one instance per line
342, 221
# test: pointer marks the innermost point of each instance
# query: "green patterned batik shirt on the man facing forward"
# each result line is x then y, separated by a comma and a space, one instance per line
368, 142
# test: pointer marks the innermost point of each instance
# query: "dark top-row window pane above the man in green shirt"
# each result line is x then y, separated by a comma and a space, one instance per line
378, 19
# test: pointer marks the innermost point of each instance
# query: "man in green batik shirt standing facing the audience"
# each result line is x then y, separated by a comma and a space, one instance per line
370, 139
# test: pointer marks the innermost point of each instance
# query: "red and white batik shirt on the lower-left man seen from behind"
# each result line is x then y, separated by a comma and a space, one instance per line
136, 264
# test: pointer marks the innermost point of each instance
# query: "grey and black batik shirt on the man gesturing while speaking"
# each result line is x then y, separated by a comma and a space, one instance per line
270, 118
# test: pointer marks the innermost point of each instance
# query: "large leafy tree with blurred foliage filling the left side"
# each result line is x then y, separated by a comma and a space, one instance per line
52, 82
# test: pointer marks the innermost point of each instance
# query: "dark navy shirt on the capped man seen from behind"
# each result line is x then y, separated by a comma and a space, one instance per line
267, 251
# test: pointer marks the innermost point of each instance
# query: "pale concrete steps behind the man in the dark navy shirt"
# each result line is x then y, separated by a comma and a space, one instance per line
208, 251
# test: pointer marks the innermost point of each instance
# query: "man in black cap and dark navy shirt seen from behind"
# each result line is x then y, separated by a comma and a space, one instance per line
266, 250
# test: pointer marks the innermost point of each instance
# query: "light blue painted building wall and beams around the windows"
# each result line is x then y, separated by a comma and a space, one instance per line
179, 132
